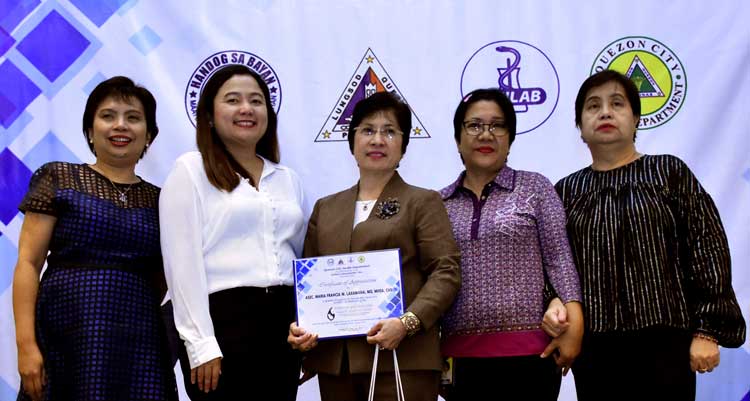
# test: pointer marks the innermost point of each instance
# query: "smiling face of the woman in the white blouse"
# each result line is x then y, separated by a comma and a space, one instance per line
240, 116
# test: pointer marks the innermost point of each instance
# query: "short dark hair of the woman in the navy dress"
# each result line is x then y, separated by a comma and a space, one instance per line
122, 88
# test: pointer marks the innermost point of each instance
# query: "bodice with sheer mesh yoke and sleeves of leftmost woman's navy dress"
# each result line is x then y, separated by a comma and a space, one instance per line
78, 195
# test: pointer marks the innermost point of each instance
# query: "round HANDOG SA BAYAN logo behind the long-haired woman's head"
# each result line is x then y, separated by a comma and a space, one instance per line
217, 60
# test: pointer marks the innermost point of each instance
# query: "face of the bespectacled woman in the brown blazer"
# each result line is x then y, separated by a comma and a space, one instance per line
377, 153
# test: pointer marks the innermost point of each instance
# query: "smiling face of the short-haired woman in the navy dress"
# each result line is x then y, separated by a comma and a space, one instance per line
118, 131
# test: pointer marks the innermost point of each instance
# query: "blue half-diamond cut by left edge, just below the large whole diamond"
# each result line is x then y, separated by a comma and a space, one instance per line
16, 92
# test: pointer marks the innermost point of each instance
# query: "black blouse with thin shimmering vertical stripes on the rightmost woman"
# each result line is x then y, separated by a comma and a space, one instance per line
650, 250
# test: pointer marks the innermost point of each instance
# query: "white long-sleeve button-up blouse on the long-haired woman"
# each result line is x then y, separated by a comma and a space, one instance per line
213, 240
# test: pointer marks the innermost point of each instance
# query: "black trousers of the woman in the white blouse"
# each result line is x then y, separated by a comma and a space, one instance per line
251, 325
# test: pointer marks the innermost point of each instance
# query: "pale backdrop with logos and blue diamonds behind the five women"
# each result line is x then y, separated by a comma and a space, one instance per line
693, 57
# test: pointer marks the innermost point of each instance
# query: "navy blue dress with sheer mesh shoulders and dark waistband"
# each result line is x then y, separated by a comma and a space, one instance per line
98, 322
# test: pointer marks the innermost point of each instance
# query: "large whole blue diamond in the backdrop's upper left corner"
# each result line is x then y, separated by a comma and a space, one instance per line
53, 45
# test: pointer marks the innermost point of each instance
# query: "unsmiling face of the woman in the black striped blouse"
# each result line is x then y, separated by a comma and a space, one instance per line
607, 116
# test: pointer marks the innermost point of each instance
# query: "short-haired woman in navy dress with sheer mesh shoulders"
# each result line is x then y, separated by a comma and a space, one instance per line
91, 328
